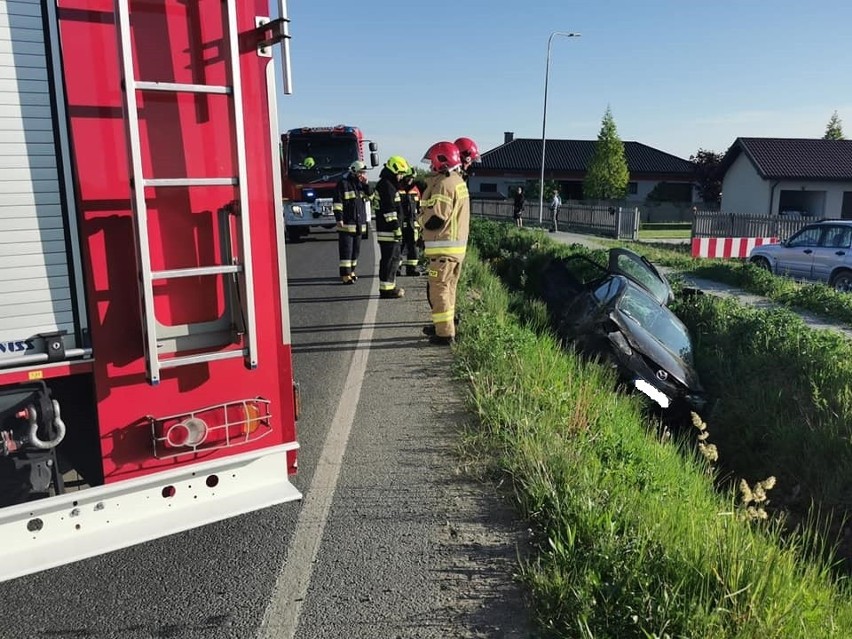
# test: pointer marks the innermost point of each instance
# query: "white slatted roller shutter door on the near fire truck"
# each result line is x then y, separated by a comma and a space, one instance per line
39, 250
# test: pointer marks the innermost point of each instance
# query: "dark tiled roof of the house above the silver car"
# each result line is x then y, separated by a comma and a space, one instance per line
794, 158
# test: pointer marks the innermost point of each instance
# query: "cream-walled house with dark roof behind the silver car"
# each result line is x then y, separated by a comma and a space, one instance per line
788, 176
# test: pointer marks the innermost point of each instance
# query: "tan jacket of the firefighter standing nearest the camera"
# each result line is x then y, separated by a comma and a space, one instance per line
445, 216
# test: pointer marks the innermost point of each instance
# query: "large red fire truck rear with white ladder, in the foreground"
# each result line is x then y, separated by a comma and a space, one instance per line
146, 384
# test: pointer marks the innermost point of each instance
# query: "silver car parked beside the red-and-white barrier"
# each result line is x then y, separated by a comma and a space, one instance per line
820, 252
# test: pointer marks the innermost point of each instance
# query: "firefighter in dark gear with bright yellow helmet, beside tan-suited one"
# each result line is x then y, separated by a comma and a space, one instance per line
388, 229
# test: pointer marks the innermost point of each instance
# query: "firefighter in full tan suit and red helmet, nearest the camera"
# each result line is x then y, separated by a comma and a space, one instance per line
445, 221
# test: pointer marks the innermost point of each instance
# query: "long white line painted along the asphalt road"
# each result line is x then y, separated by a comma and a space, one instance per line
281, 618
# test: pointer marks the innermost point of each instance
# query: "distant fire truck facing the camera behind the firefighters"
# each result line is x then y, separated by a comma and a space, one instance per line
313, 159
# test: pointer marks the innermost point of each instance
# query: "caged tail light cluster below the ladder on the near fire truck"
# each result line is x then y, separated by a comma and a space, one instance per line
211, 428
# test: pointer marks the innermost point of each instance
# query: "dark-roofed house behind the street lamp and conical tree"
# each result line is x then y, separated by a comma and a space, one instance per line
518, 161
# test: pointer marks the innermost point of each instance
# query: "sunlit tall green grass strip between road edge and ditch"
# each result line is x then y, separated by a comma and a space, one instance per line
631, 539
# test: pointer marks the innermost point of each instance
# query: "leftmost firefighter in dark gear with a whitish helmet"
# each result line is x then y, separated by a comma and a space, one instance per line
350, 212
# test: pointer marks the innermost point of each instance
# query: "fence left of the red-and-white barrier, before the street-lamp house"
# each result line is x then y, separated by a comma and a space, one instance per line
610, 221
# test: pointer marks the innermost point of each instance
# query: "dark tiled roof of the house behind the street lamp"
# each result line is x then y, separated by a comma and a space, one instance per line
524, 154
